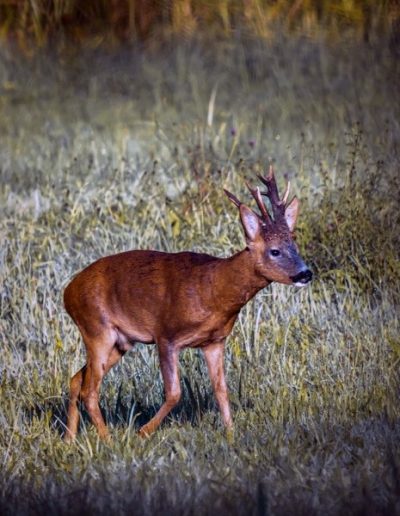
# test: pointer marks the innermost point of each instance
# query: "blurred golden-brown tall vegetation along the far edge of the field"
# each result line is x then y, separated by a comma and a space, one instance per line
110, 22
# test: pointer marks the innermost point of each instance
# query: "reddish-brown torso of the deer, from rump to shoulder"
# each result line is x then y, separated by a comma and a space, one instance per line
144, 294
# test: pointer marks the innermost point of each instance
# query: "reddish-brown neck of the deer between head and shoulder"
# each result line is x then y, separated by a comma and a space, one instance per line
236, 281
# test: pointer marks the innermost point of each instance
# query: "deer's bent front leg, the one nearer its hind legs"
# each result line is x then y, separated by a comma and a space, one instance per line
169, 370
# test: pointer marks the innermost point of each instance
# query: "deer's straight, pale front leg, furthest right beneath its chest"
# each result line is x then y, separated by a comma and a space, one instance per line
214, 355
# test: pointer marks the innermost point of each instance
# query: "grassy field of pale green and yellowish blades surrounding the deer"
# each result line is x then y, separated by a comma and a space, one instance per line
109, 151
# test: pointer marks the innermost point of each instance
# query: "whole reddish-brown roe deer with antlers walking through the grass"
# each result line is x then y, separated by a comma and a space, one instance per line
177, 301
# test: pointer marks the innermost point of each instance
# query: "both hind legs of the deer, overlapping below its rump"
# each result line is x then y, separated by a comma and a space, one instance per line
102, 354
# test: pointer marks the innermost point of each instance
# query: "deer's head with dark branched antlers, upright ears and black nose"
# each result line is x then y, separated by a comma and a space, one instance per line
269, 236
